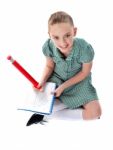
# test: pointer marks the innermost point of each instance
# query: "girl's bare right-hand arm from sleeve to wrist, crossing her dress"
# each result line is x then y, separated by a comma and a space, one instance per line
86, 68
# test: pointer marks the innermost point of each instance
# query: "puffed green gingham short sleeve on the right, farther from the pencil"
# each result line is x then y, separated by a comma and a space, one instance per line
87, 53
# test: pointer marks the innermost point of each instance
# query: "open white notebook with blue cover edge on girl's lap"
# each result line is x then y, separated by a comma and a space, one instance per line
39, 102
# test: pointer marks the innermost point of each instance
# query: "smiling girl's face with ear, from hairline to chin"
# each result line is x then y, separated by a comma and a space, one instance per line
62, 36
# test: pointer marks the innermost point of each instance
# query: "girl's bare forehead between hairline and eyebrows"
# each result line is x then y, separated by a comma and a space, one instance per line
60, 28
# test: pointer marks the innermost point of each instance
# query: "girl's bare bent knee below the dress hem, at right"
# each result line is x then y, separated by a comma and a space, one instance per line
92, 110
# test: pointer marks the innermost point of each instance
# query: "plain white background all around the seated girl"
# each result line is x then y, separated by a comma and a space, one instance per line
23, 30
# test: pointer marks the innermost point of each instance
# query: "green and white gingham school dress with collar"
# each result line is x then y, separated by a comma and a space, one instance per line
65, 68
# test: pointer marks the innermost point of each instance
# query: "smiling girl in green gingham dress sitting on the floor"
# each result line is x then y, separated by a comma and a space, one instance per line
68, 64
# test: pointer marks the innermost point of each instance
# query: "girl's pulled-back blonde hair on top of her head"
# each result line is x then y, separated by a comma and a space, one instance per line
60, 17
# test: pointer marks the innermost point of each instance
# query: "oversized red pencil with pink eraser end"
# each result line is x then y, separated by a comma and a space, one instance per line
23, 71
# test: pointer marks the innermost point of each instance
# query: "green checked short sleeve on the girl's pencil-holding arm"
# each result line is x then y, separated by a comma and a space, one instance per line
47, 50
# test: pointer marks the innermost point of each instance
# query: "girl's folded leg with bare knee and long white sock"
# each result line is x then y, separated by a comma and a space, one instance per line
89, 111
